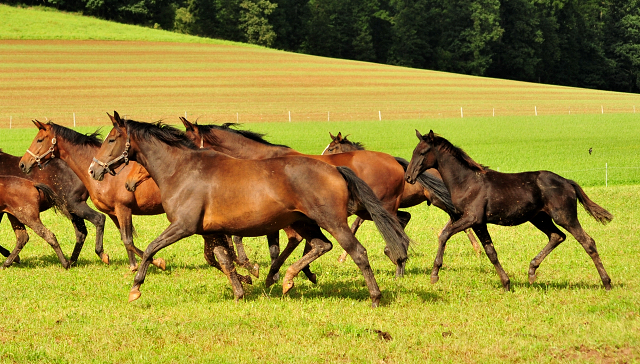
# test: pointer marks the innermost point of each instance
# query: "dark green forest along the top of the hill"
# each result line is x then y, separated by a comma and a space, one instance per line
584, 43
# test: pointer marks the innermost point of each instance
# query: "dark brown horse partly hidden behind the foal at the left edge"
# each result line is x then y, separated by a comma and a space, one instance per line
72, 194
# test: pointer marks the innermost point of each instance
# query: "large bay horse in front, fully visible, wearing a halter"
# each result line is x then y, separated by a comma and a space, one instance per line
197, 186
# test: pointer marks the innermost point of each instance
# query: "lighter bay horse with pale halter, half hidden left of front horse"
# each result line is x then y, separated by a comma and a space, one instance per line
110, 197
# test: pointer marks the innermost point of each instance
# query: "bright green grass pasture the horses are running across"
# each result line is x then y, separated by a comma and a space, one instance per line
187, 313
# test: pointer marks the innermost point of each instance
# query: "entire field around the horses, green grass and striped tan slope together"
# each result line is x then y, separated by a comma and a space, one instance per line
53, 65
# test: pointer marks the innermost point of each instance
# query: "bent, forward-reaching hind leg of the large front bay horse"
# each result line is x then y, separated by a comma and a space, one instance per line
319, 245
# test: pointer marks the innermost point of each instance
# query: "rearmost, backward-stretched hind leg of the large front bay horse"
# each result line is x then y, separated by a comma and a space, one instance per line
359, 255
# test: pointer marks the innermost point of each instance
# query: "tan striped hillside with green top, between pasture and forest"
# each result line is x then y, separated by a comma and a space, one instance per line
55, 64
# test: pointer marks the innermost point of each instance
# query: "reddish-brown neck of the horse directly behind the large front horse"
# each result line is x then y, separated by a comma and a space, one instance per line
241, 147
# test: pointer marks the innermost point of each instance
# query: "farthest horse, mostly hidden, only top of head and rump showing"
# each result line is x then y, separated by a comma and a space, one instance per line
414, 194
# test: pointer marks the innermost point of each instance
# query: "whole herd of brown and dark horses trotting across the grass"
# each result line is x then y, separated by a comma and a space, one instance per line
225, 183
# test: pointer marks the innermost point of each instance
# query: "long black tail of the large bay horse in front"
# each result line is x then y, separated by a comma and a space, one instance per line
361, 194
